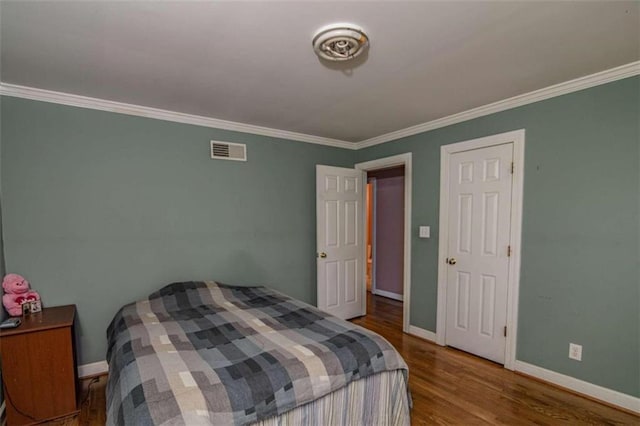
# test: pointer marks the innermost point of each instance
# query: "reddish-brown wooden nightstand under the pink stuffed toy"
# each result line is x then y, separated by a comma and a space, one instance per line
39, 367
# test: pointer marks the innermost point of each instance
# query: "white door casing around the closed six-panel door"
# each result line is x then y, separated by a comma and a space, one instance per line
517, 138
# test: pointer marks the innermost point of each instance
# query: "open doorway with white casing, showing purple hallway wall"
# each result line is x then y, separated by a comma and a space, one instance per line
387, 234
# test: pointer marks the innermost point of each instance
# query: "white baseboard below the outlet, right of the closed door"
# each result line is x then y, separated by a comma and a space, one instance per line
598, 392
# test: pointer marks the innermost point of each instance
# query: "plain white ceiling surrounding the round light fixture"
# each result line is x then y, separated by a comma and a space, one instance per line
252, 62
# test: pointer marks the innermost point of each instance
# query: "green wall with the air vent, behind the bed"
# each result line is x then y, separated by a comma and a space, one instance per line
101, 209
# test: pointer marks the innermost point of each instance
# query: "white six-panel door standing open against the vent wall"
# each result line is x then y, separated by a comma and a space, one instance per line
340, 254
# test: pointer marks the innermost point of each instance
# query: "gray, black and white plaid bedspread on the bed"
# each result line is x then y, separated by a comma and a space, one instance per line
208, 353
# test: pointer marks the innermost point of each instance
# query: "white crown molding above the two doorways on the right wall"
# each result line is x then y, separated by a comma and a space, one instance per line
603, 77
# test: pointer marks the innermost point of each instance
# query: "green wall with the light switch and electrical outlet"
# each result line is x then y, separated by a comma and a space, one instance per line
580, 273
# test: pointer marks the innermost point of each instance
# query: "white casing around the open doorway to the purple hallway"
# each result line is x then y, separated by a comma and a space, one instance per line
381, 163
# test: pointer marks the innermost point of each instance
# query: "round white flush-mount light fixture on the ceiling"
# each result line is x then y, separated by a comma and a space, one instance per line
340, 42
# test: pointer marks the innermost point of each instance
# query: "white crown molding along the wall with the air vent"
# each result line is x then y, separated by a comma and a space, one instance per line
69, 99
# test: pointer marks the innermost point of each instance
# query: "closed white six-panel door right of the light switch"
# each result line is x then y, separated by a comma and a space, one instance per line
480, 184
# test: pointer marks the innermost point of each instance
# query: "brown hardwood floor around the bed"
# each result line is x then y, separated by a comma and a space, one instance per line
447, 386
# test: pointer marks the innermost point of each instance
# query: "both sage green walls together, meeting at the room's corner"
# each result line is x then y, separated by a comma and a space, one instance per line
101, 208
